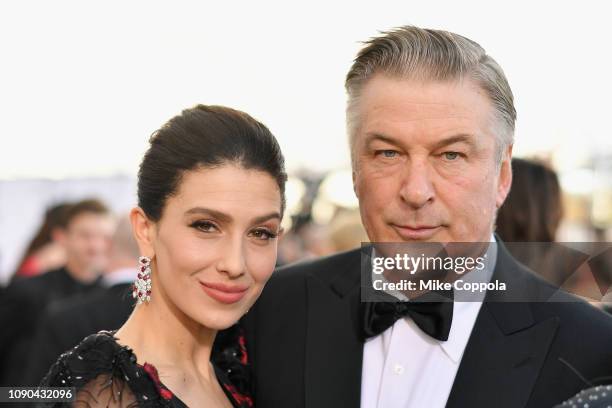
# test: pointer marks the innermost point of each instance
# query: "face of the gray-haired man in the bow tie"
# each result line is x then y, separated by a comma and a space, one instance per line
425, 162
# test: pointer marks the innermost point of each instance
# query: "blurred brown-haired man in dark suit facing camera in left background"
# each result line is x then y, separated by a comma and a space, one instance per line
89, 227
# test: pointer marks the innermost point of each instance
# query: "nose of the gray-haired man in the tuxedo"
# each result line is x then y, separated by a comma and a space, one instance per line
416, 189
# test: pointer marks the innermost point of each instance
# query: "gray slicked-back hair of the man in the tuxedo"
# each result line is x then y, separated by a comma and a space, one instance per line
410, 52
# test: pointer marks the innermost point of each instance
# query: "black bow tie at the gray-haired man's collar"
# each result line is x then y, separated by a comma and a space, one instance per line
433, 317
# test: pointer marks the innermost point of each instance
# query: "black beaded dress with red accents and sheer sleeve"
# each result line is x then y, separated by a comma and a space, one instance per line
106, 373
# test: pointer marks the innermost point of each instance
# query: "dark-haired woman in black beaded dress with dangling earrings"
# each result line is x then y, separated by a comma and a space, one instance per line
210, 204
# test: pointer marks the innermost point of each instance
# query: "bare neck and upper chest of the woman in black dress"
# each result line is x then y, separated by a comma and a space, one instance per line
162, 335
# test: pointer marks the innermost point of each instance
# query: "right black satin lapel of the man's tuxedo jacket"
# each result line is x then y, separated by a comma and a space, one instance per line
507, 347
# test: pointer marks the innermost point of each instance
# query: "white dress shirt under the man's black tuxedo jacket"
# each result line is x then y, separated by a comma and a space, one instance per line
404, 367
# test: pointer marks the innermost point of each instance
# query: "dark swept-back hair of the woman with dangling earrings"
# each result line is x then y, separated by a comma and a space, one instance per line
205, 137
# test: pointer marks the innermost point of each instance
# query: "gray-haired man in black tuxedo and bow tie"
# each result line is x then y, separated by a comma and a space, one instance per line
430, 118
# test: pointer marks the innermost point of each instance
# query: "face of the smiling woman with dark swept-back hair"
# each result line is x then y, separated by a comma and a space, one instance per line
215, 245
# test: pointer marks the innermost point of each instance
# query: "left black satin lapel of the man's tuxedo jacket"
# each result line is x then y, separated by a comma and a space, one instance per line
333, 354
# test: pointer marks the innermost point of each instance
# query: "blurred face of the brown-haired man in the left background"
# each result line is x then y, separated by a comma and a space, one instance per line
87, 241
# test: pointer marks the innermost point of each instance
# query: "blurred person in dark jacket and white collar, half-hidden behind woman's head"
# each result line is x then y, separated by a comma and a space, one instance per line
66, 323
